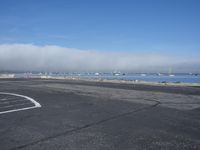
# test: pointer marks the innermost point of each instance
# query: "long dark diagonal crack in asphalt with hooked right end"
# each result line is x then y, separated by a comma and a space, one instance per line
87, 126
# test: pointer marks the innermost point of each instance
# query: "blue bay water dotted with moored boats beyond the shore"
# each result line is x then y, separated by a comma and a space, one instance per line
182, 78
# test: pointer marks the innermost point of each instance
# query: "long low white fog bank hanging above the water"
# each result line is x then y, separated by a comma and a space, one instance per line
28, 57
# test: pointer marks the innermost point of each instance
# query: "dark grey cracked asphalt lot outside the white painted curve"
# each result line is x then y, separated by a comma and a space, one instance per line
79, 115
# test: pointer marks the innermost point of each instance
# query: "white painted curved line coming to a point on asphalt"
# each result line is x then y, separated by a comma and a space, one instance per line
20, 109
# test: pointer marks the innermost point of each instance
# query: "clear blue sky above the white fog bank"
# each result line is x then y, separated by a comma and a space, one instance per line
142, 26
